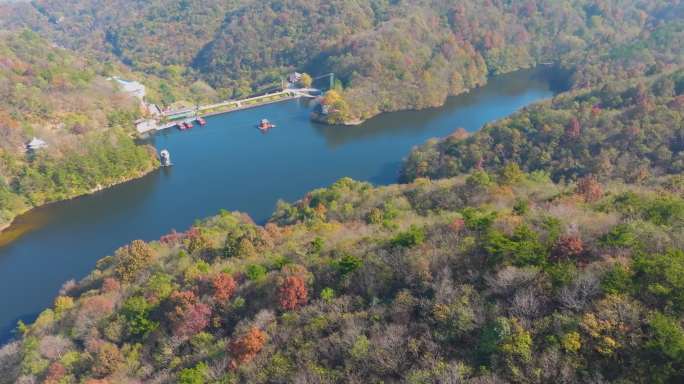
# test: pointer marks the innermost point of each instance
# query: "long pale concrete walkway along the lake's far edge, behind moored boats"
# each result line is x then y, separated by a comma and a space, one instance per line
171, 118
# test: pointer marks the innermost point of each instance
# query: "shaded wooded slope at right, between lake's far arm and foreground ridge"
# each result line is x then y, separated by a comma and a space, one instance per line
628, 130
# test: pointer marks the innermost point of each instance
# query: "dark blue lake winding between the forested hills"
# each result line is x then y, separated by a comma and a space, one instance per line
229, 164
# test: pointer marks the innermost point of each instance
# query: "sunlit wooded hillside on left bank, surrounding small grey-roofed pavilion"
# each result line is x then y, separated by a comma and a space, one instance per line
65, 100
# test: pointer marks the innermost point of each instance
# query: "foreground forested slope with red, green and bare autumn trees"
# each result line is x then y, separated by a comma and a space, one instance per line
489, 278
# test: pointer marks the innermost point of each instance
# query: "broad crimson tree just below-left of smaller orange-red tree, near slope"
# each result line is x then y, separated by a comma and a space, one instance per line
188, 316
